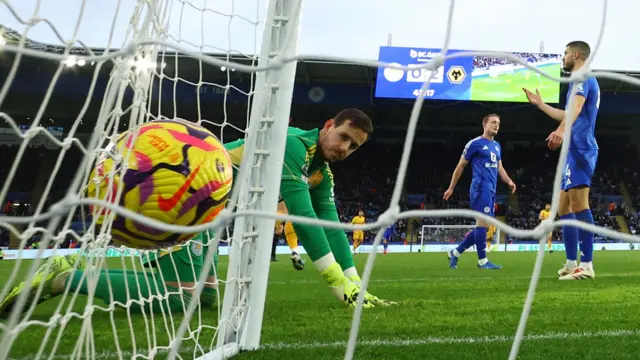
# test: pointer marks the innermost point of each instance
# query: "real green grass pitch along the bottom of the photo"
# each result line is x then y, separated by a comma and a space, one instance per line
444, 314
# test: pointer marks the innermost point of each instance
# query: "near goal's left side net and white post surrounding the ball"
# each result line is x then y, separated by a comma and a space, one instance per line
122, 302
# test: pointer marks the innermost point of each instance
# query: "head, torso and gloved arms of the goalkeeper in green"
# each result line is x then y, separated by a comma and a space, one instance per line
307, 190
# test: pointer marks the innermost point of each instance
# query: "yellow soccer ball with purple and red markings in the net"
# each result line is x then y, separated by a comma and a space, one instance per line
173, 171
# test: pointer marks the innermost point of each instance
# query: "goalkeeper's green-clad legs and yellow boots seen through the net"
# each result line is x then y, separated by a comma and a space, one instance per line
178, 268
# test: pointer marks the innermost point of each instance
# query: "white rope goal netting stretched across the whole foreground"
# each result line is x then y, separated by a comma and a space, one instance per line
138, 114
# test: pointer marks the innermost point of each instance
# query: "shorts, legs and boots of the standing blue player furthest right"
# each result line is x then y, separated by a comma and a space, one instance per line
580, 174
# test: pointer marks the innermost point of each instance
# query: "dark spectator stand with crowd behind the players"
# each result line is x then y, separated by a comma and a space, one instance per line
365, 181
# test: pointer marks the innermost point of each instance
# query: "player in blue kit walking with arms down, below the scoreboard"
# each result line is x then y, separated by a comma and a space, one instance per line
484, 154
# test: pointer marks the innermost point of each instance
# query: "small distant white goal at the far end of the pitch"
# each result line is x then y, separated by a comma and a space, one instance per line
442, 237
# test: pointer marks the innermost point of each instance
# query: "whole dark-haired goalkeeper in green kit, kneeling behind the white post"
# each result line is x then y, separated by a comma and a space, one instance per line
307, 190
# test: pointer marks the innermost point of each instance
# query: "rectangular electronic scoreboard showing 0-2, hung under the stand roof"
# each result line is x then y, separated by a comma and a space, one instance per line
474, 78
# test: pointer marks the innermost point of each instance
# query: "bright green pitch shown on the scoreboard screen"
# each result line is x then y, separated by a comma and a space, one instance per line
508, 87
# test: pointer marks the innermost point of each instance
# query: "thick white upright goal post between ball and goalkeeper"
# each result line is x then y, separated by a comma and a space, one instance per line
241, 321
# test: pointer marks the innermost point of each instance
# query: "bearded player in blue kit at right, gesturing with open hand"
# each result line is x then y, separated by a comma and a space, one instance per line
581, 161
